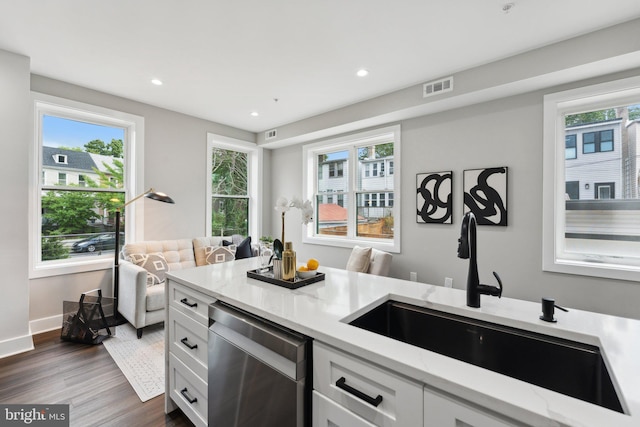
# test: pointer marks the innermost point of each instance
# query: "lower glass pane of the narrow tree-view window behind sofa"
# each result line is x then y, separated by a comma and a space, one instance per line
229, 216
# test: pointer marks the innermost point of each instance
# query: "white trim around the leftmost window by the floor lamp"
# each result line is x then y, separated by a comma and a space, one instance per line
134, 157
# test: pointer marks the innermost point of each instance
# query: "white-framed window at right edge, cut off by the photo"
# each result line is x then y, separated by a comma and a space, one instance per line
591, 202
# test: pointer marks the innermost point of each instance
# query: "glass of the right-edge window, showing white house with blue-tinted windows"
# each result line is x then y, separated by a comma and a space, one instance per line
602, 192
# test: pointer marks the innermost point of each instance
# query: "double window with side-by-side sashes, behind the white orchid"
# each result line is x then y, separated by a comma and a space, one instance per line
364, 212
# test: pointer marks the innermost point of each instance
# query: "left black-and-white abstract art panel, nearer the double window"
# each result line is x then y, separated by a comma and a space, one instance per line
433, 200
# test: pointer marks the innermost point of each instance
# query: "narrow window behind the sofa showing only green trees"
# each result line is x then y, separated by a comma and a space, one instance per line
232, 190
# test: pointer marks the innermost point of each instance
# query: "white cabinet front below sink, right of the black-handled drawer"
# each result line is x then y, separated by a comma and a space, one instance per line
444, 411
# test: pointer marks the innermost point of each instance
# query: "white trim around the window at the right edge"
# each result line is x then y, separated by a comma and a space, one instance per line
553, 213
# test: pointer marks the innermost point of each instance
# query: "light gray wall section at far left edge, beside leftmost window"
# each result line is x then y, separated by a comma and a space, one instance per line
14, 136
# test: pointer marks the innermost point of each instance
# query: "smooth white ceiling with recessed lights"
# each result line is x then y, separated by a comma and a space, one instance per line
223, 59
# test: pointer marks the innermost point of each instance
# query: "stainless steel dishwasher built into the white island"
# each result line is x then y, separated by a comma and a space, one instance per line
258, 371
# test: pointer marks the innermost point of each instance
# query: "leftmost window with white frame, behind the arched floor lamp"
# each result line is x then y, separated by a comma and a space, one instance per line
82, 158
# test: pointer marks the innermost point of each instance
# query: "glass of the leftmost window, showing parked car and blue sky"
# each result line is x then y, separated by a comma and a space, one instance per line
79, 223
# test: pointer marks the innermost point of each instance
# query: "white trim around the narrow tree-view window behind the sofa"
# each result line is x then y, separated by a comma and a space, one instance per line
255, 165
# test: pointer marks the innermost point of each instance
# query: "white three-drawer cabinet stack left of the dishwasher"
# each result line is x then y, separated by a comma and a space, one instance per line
186, 340
